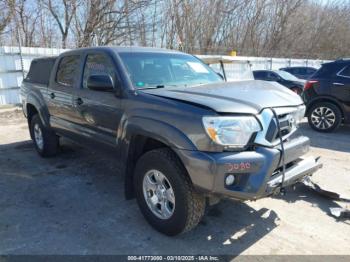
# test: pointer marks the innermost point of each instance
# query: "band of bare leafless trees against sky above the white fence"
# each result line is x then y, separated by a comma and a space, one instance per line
282, 28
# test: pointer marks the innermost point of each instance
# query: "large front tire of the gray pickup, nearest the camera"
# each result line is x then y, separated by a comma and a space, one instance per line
188, 207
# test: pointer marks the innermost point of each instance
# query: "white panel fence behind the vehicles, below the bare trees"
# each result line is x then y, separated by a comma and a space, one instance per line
11, 70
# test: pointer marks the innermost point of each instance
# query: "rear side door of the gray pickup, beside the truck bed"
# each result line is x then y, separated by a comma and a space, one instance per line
61, 91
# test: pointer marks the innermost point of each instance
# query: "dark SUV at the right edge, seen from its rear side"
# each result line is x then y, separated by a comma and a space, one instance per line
327, 96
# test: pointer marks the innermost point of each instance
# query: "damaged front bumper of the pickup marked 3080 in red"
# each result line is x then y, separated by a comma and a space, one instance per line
257, 173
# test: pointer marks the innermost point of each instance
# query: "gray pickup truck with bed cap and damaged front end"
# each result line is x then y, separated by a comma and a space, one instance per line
184, 137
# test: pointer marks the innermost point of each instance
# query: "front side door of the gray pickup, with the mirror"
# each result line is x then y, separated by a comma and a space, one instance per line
98, 113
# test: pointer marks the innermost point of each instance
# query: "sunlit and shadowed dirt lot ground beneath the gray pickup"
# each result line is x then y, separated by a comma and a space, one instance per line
74, 204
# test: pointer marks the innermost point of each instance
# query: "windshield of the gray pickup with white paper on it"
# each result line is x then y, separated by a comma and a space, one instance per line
152, 70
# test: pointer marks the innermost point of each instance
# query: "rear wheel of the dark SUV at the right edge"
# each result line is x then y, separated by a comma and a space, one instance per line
324, 117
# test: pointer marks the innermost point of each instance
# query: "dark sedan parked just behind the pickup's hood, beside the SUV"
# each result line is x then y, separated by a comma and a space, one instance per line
281, 77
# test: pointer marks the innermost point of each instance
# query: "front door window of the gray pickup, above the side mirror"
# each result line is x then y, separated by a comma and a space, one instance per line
98, 64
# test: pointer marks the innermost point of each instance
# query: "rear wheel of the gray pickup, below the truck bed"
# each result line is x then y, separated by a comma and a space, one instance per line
48, 144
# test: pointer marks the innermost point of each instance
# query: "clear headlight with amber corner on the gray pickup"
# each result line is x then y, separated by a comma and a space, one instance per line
230, 131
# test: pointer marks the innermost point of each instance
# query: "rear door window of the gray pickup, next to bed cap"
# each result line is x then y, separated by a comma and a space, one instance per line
67, 70
